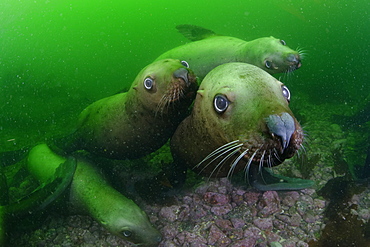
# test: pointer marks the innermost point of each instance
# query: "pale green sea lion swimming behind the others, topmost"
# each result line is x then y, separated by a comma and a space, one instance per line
210, 50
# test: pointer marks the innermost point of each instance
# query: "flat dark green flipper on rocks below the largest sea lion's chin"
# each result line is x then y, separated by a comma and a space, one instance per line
264, 180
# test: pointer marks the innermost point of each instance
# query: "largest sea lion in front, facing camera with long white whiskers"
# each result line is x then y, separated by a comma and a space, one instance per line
241, 120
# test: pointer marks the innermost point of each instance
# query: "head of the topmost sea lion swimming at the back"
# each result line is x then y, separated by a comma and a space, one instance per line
274, 56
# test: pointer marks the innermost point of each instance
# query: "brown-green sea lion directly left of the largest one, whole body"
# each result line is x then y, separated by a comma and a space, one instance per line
137, 122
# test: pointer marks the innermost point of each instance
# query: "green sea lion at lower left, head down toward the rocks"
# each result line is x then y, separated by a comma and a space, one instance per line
91, 194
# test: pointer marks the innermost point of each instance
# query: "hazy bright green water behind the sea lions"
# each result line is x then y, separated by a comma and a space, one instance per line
57, 57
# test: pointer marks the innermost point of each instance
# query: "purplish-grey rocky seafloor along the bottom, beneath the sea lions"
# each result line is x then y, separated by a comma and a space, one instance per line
216, 213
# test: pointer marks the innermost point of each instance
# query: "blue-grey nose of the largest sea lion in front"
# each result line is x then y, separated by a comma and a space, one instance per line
282, 126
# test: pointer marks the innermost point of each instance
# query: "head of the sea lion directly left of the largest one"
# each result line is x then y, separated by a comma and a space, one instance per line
164, 84
